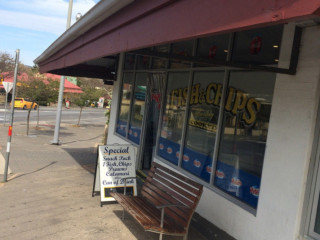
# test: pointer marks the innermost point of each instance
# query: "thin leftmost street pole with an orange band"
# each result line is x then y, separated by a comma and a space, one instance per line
6, 166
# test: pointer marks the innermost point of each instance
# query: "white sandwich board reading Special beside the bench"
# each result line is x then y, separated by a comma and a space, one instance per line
114, 163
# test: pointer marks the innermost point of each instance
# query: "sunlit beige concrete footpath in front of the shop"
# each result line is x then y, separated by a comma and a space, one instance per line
48, 194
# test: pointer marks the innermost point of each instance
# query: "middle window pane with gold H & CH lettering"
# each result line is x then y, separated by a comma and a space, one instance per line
202, 123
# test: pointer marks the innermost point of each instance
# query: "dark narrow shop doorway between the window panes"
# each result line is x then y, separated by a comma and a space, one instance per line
152, 112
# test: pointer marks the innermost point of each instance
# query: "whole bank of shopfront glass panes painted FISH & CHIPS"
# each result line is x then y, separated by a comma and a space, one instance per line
223, 152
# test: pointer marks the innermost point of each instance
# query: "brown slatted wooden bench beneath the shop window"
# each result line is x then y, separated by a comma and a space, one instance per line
166, 203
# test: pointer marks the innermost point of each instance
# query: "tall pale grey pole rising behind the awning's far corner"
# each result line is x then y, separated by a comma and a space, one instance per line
55, 140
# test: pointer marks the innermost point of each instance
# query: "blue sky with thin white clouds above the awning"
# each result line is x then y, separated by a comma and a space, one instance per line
33, 25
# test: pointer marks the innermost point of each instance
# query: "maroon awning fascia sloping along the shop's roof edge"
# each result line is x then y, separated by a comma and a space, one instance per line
146, 23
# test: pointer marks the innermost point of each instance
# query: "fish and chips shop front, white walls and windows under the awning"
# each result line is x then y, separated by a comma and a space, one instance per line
237, 111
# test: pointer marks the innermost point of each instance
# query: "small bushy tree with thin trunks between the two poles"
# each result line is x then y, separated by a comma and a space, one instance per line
38, 90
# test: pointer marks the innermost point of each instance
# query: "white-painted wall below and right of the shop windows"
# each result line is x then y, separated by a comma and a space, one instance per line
287, 156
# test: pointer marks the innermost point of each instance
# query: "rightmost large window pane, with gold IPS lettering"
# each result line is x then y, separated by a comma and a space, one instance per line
244, 133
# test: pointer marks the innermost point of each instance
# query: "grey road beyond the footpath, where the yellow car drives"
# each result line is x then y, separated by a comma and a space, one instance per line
48, 114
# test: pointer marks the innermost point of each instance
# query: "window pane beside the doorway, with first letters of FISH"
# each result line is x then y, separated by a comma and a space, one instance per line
173, 117
